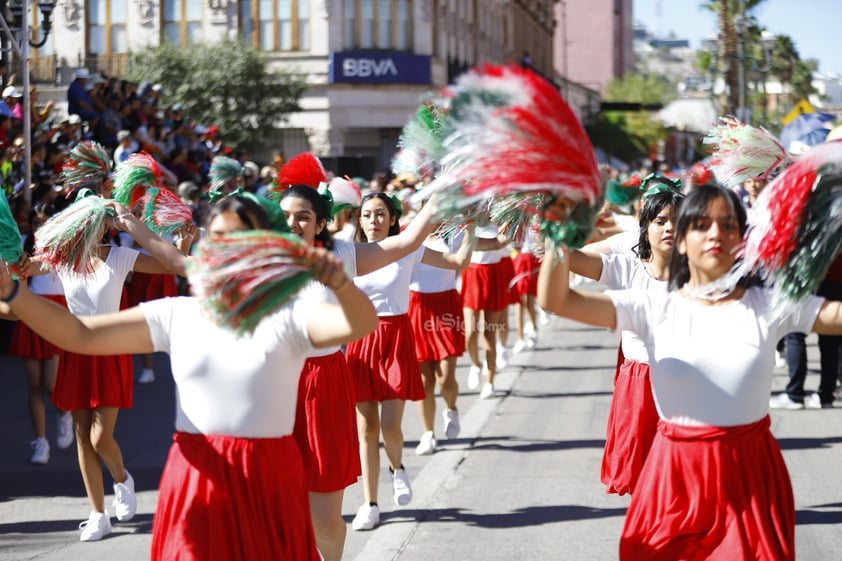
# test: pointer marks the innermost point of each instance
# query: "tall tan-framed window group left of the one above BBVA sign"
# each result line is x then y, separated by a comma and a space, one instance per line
276, 25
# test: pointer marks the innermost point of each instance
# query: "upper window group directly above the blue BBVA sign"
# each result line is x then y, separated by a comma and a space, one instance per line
378, 24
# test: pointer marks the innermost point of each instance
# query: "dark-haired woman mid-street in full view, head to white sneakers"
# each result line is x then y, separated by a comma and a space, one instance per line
384, 364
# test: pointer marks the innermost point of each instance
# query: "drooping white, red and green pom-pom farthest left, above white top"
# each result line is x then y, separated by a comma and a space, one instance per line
69, 241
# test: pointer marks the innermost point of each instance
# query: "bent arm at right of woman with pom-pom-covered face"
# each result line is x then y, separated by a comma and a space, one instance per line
352, 319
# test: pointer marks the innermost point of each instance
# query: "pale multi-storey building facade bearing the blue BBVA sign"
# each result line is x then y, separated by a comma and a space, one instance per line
368, 62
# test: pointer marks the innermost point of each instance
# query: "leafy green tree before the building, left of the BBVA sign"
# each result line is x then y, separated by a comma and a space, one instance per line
225, 84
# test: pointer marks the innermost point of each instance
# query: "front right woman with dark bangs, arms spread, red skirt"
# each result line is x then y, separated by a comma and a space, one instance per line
714, 485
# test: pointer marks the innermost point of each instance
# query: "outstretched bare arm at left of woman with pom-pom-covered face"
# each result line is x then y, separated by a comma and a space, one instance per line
123, 332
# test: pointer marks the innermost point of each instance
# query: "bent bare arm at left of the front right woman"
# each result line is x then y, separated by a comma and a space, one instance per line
556, 296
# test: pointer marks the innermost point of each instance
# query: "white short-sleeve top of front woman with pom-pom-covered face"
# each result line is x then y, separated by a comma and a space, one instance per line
243, 386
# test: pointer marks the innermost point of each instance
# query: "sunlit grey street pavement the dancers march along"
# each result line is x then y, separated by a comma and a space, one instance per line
521, 481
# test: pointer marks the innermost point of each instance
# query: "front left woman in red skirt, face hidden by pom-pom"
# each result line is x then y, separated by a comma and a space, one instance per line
232, 429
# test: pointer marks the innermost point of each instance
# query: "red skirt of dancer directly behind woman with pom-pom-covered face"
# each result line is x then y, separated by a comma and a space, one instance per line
326, 424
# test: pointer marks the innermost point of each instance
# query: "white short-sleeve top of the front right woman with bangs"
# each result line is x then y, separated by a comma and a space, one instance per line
710, 365
